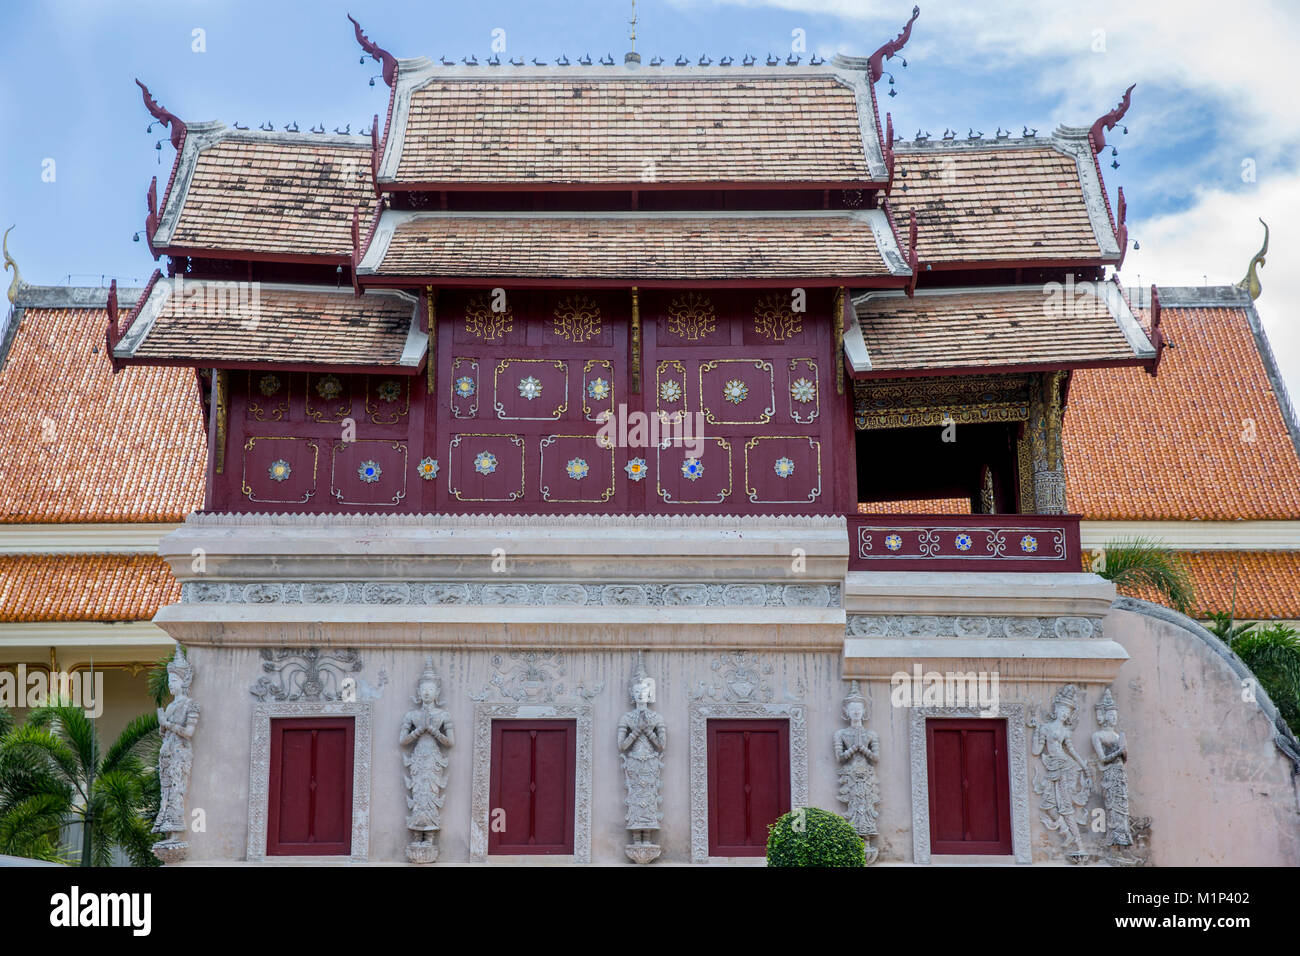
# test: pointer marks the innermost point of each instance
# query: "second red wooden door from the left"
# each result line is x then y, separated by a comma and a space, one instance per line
532, 788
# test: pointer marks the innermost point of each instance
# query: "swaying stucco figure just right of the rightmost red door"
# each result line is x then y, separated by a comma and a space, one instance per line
1063, 780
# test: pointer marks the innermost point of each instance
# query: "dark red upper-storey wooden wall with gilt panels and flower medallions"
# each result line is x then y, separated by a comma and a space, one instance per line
522, 393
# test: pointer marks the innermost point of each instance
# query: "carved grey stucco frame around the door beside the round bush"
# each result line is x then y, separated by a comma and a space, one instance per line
742, 690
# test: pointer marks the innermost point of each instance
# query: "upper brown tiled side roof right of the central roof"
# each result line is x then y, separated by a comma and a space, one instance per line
1017, 202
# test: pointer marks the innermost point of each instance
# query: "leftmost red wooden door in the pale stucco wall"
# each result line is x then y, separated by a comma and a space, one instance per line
311, 788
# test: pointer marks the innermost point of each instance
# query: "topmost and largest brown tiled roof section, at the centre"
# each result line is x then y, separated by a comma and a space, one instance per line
560, 131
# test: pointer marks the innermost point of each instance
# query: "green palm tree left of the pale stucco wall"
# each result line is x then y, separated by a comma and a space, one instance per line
54, 772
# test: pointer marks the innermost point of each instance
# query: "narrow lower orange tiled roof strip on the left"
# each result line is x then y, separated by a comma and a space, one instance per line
84, 587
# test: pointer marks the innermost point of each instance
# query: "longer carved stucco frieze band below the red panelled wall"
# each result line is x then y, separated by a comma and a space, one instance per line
441, 594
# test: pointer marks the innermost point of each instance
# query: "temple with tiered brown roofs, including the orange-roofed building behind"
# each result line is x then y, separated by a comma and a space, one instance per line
595, 462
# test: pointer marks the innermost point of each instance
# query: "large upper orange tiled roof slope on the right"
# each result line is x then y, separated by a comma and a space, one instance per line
1203, 440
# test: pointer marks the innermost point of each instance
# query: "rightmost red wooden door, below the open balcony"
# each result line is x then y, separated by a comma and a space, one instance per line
970, 808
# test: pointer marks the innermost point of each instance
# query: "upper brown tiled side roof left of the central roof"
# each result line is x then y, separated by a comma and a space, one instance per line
266, 194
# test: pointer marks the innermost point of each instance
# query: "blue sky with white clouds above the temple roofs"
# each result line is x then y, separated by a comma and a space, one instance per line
1215, 98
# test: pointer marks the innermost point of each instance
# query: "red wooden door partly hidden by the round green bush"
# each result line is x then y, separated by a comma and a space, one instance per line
749, 784
